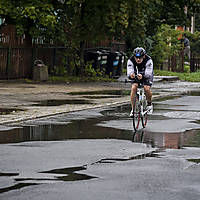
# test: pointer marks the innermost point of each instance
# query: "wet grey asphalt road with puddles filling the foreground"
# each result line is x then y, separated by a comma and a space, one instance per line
94, 154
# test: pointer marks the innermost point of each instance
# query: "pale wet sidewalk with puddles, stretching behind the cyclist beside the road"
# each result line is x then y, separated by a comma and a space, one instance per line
24, 99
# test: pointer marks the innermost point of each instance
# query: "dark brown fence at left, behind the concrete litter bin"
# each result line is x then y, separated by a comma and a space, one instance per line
16, 63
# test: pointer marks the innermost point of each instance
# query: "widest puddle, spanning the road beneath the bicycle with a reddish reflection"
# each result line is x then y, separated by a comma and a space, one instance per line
89, 129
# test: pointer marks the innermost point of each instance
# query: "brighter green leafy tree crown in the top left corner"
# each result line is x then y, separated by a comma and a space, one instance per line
29, 16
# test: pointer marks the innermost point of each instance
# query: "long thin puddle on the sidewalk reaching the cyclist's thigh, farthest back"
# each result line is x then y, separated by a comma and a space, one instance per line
108, 92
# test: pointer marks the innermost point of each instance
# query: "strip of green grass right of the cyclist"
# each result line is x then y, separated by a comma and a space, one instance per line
186, 76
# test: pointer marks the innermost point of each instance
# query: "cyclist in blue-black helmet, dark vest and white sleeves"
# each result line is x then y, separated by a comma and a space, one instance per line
141, 64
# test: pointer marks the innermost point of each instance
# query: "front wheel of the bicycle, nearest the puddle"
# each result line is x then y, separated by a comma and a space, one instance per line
136, 114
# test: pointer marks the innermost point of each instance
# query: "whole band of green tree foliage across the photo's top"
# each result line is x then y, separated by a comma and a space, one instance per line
74, 23
